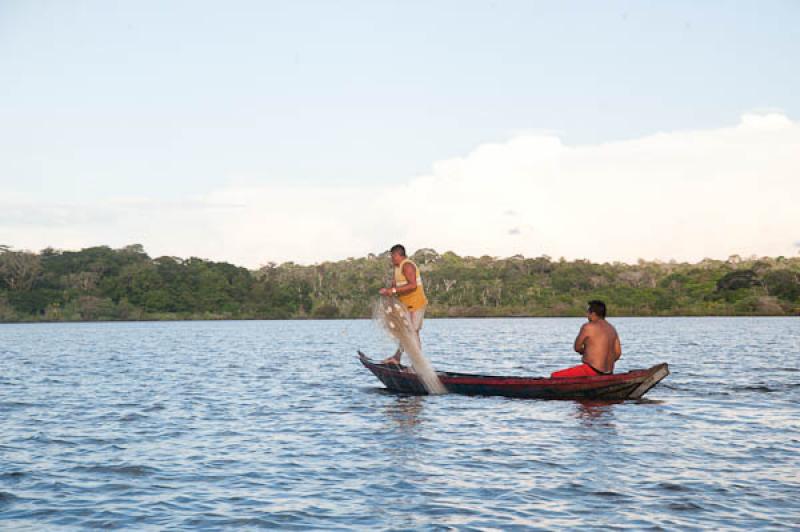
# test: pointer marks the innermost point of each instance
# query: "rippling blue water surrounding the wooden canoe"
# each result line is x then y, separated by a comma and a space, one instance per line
276, 424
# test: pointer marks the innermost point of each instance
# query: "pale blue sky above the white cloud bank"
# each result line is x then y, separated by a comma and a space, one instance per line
171, 101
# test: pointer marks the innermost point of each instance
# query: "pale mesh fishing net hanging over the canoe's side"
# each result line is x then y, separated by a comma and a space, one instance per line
395, 319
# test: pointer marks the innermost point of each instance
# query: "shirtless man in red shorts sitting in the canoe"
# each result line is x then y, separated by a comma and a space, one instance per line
598, 343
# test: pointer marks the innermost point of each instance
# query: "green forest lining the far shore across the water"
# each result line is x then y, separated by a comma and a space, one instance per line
100, 283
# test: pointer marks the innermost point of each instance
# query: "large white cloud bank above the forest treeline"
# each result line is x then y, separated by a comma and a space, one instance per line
683, 195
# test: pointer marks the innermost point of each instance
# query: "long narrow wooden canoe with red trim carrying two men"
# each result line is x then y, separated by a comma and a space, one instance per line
631, 385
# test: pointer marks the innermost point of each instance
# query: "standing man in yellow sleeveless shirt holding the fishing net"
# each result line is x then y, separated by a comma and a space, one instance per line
407, 286
